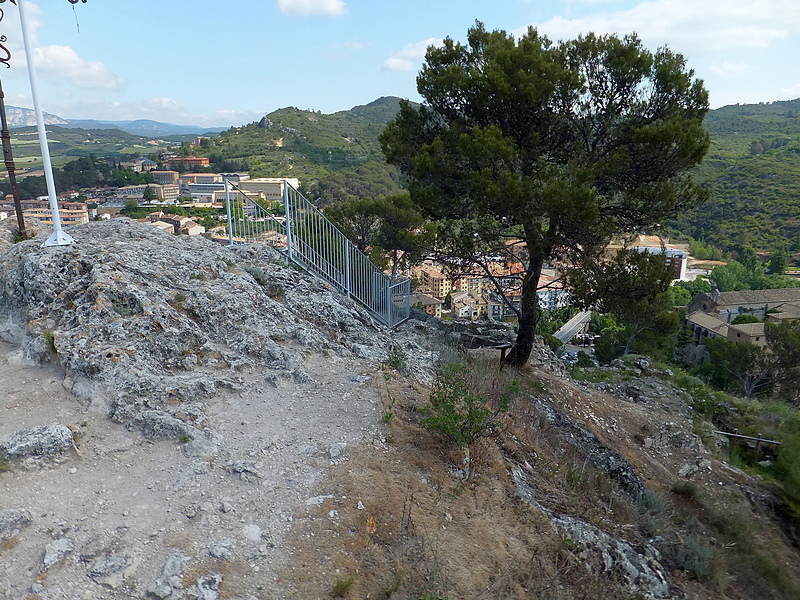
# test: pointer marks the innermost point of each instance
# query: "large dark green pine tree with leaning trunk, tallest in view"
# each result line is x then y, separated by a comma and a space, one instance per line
517, 138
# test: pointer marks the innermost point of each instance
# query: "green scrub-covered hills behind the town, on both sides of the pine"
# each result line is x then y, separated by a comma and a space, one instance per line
752, 170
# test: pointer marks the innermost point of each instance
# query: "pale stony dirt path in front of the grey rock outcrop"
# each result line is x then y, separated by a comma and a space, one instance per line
126, 513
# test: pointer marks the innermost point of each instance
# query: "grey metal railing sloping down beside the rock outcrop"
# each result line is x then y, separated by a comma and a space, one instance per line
311, 241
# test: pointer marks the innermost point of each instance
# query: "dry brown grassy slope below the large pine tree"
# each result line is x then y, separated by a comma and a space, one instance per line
424, 532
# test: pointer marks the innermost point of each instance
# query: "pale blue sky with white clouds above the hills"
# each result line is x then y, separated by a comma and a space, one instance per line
197, 62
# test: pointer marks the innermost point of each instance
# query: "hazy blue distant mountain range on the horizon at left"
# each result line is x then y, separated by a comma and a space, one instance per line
25, 117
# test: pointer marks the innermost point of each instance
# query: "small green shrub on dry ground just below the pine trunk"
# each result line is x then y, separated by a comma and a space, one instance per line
459, 412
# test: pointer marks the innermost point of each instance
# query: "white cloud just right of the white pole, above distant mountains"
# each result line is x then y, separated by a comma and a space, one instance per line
64, 63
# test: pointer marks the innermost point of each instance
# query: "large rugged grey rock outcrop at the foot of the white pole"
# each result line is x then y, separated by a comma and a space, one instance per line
141, 320
